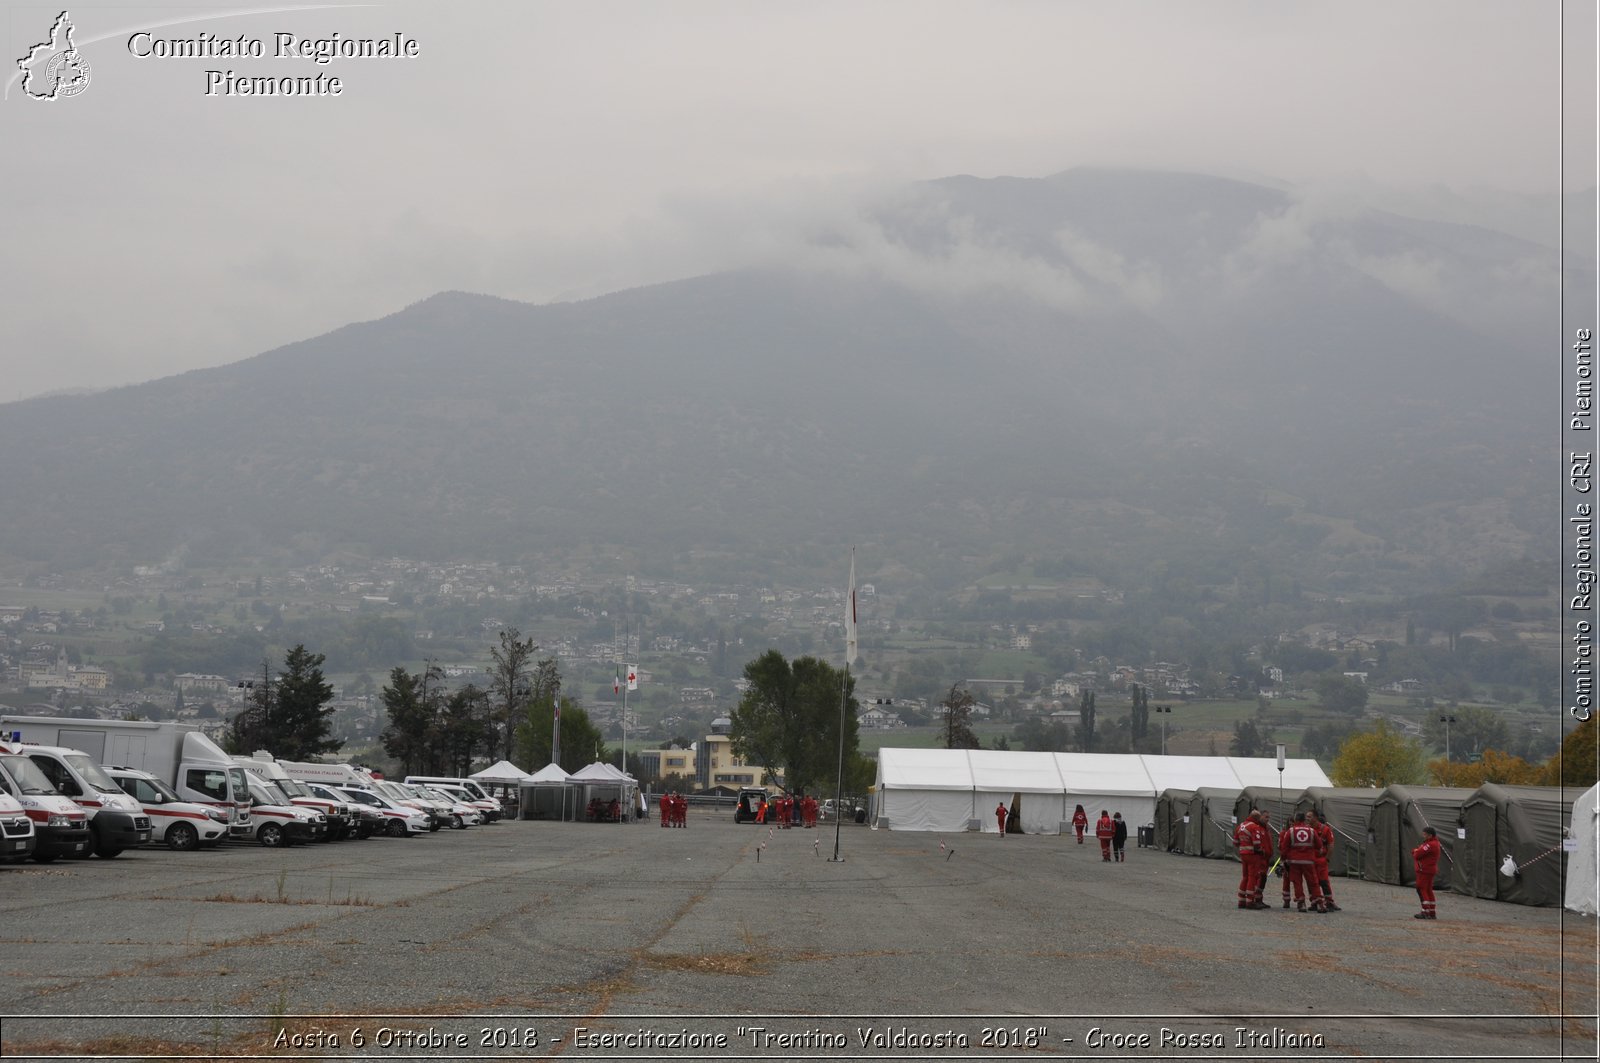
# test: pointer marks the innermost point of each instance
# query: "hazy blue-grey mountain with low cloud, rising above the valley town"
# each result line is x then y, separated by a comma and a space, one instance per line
1106, 367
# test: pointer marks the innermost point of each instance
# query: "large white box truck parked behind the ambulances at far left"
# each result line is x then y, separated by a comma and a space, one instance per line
178, 755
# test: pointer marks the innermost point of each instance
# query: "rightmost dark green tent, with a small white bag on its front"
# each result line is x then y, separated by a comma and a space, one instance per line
1526, 824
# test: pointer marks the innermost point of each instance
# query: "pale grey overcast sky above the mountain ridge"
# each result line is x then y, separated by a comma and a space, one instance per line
546, 150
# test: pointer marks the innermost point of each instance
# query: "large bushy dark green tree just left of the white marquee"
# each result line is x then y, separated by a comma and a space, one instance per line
790, 720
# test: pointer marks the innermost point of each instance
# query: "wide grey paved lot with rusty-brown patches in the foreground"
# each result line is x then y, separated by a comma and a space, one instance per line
506, 941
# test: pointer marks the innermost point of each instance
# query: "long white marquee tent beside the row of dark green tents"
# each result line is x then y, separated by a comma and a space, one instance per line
950, 790
